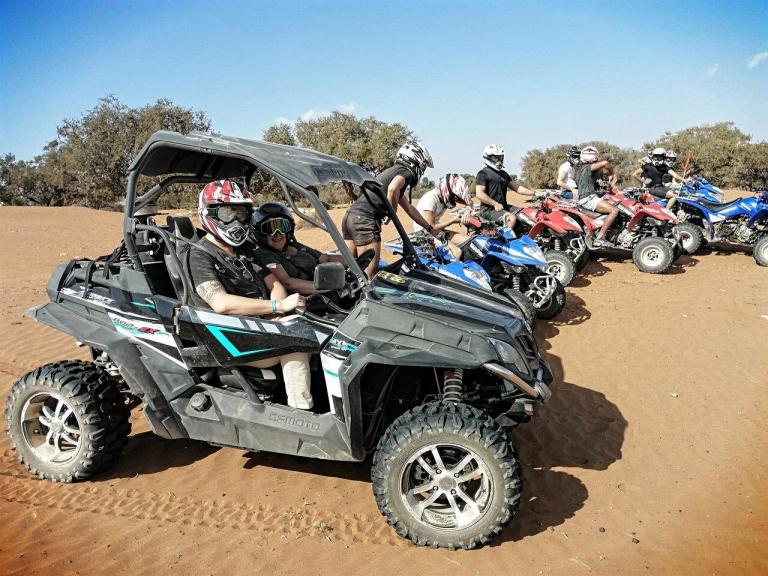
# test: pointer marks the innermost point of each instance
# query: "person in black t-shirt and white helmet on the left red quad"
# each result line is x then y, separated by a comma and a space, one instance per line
491, 186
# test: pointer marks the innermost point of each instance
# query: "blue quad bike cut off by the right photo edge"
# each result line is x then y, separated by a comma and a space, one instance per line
742, 222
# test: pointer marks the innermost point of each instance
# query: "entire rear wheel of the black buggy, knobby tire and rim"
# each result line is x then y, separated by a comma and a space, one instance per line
67, 421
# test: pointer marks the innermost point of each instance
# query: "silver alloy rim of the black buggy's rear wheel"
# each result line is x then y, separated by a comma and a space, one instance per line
50, 428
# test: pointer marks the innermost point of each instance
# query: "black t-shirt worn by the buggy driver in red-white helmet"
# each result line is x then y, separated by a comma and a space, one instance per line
240, 275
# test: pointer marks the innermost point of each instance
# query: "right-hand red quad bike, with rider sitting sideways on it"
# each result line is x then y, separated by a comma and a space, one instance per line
648, 231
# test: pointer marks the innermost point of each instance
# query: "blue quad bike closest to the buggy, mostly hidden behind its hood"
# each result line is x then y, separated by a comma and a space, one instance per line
438, 257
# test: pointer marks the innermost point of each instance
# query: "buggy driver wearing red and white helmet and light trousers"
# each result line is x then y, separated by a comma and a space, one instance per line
230, 282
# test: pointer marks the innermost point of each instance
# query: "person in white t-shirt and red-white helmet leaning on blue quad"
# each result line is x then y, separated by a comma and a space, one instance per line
450, 189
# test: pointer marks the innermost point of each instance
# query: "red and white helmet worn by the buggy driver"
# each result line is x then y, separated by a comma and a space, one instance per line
225, 211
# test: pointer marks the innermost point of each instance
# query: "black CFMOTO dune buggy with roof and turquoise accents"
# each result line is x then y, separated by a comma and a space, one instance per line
424, 372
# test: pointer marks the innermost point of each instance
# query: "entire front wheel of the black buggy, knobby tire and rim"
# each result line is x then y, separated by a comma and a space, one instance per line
471, 446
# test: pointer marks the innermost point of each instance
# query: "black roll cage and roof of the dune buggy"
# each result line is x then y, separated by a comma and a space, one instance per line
201, 157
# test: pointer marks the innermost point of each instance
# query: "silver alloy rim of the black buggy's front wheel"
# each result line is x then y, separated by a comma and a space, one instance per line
446, 486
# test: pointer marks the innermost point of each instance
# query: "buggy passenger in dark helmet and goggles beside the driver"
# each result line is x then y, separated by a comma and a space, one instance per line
292, 263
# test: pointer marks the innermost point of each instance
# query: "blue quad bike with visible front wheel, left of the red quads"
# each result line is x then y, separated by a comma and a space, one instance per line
513, 266
